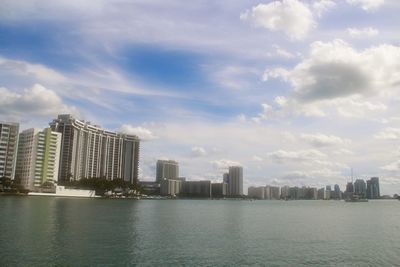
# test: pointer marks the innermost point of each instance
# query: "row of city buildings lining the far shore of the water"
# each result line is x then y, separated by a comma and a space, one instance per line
72, 150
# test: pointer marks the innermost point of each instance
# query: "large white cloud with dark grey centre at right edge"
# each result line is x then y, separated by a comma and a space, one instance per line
336, 70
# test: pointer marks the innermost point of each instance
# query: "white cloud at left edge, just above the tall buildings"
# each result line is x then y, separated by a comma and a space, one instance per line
35, 101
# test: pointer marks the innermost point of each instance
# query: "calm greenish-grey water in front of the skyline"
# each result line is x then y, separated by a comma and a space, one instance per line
45, 231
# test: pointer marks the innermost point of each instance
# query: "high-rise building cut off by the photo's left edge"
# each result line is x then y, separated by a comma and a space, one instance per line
8, 149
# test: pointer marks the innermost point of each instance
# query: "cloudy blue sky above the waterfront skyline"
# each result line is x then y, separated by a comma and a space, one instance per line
296, 92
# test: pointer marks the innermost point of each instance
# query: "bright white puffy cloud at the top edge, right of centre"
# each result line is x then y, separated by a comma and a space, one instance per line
292, 17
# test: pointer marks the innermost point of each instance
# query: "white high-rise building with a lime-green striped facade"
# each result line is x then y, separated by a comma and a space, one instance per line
38, 157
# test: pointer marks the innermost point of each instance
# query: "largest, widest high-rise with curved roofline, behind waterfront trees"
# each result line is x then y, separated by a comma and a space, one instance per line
89, 151
